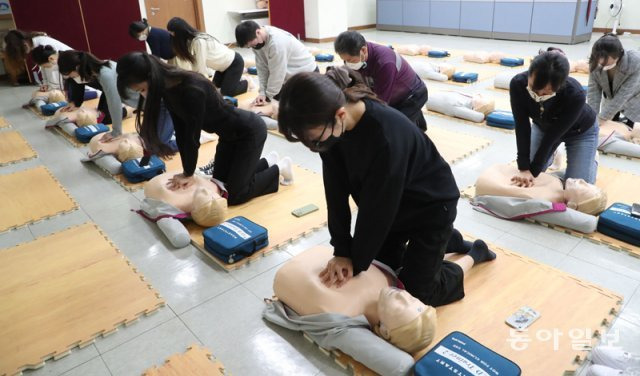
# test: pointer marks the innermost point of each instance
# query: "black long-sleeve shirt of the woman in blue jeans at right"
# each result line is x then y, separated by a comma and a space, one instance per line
566, 113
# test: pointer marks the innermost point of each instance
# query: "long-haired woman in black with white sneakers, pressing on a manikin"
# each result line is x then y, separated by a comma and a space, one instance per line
195, 105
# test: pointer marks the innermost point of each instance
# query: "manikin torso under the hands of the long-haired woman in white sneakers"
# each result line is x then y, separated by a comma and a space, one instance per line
184, 199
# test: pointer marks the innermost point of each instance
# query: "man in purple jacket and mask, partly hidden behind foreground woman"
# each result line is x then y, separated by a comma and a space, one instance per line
388, 74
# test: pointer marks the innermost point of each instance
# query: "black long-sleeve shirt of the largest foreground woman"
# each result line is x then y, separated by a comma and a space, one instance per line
393, 172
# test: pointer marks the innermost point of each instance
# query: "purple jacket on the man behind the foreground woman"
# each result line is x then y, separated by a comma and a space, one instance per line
381, 73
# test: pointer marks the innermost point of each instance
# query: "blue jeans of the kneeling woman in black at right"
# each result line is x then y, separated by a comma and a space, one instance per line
581, 152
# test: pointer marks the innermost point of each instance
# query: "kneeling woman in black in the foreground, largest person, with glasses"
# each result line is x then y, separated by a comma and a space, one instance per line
405, 192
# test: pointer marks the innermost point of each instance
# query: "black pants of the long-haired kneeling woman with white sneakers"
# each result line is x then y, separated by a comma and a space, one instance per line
245, 174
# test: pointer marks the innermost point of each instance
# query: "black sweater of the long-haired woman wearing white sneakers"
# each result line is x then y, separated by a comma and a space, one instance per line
194, 106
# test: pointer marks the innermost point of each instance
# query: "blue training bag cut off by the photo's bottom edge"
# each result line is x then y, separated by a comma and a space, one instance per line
459, 354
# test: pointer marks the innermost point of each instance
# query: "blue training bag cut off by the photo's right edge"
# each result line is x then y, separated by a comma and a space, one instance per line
618, 223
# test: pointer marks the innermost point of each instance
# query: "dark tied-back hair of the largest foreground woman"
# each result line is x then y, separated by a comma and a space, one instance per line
309, 100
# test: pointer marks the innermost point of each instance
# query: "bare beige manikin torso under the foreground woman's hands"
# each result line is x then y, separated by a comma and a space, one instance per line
297, 284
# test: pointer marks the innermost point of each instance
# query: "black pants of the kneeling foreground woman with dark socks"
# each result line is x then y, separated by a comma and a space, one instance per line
420, 252
